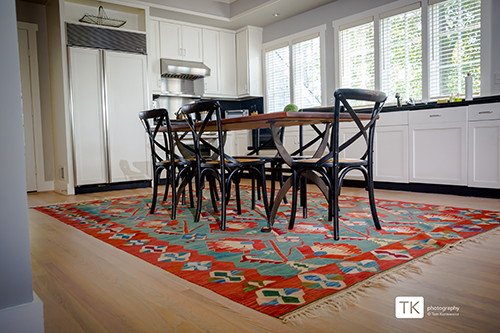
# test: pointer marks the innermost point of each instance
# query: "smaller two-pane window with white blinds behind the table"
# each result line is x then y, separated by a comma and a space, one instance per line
293, 72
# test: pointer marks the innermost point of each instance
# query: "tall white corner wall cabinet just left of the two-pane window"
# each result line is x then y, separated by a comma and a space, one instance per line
249, 61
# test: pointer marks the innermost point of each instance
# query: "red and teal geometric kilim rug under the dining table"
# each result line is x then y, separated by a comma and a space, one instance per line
284, 273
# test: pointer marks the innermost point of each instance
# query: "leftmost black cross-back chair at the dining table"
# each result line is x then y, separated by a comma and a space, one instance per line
164, 157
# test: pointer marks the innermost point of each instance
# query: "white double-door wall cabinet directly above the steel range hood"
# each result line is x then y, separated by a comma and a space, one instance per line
181, 42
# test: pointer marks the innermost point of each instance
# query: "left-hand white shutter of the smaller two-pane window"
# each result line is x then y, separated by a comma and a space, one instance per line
277, 78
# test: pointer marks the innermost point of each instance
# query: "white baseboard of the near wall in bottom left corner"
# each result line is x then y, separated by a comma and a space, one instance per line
23, 318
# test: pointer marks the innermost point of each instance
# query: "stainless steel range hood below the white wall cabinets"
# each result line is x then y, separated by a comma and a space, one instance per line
187, 70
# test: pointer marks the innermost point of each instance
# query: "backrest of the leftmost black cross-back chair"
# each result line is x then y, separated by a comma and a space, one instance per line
153, 121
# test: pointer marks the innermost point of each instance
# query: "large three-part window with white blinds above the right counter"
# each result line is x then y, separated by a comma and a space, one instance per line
419, 49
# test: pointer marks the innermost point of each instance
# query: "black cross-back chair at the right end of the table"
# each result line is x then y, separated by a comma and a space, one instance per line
331, 168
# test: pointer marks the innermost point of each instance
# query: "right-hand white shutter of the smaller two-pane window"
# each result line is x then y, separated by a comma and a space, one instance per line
307, 71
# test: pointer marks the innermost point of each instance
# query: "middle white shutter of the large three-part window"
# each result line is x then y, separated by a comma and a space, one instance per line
401, 53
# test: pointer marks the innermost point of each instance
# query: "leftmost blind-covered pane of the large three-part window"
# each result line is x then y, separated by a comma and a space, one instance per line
357, 61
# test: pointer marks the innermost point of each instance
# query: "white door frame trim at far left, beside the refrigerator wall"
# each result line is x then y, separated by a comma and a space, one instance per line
31, 28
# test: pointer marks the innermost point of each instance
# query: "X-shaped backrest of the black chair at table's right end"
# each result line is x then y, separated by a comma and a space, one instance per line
367, 131
